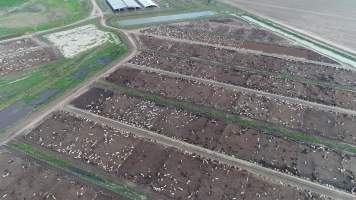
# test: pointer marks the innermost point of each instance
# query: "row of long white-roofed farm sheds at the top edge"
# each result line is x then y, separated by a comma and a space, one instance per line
118, 5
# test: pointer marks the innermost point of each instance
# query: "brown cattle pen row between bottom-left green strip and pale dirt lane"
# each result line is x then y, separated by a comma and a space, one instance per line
164, 171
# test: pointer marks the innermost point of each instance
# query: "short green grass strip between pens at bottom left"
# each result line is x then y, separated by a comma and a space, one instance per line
120, 188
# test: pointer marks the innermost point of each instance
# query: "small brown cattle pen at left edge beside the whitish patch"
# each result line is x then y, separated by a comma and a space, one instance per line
24, 54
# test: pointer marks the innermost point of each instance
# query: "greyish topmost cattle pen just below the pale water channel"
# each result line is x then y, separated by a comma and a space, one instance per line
228, 31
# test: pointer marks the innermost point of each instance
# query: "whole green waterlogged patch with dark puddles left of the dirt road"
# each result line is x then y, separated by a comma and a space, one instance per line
26, 92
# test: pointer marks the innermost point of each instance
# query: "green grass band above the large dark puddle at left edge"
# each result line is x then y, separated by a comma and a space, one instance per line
60, 75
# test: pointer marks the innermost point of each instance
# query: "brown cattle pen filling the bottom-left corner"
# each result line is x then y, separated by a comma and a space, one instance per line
23, 178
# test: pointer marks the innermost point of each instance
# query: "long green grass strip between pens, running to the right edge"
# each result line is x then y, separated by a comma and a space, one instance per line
234, 118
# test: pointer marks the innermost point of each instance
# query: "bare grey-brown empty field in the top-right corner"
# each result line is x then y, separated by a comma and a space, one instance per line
327, 20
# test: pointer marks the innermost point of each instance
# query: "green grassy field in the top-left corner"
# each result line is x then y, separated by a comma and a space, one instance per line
38, 15
